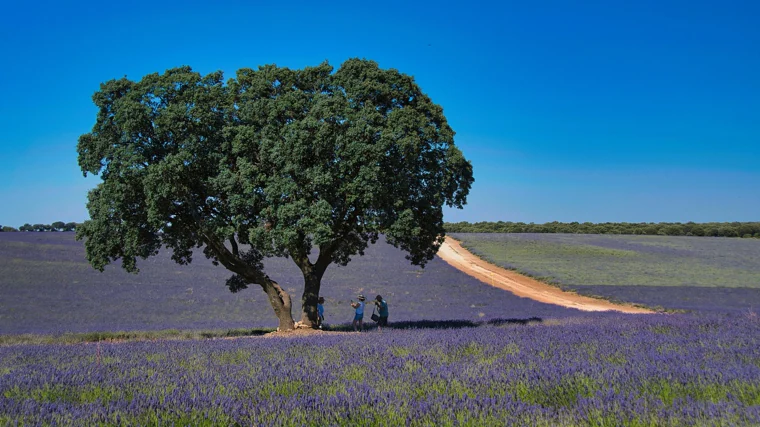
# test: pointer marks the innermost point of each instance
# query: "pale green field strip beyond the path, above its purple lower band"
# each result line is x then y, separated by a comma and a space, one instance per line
633, 260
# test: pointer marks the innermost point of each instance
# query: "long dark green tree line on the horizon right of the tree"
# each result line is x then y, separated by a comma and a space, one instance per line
716, 229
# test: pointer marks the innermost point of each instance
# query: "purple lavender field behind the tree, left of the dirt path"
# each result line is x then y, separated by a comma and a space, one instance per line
46, 286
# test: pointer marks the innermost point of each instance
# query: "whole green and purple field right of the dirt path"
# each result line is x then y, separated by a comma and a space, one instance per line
676, 272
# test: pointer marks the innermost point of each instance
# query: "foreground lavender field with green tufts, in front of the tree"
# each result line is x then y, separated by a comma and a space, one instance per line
601, 371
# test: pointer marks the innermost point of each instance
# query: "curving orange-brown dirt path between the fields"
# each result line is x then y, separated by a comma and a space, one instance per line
460, 258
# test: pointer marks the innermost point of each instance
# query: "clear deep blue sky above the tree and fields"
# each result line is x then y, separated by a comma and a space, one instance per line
569, 111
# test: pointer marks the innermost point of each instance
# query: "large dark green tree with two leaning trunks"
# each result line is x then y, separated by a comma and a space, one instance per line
275, 162
